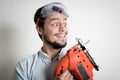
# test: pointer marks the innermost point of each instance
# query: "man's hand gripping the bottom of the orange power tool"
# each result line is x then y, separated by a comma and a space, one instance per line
64, 76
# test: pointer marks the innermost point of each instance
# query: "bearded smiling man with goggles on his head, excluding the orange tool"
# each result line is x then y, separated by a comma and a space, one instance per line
51, 25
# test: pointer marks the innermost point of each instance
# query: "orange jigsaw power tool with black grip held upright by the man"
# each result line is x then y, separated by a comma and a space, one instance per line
78, 61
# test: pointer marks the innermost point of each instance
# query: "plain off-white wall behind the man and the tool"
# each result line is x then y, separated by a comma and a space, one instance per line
95, 20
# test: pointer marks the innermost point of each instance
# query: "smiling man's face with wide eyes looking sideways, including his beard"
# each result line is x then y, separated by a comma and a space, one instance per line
55, 31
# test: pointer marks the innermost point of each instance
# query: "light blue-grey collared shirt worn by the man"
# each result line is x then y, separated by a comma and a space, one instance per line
38, 66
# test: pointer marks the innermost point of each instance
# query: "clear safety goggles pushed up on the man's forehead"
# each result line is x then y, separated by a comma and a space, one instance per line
52, 9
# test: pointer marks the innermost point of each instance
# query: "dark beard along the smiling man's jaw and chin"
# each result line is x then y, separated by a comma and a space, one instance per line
54, 44
